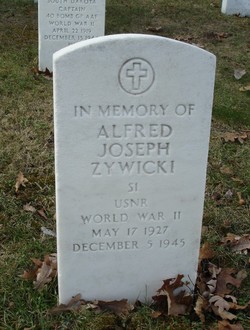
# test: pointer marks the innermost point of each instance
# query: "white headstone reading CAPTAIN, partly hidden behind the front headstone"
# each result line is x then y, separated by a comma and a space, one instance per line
65, 22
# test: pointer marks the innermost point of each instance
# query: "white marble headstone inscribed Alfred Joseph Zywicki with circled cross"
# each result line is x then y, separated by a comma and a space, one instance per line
132, 123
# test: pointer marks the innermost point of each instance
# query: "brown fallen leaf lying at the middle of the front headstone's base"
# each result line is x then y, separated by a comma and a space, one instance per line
119, 307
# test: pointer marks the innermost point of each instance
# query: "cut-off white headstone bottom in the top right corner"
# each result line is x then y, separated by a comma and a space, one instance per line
236, 7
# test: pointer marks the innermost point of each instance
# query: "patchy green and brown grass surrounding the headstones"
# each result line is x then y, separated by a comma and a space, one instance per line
26, 144
